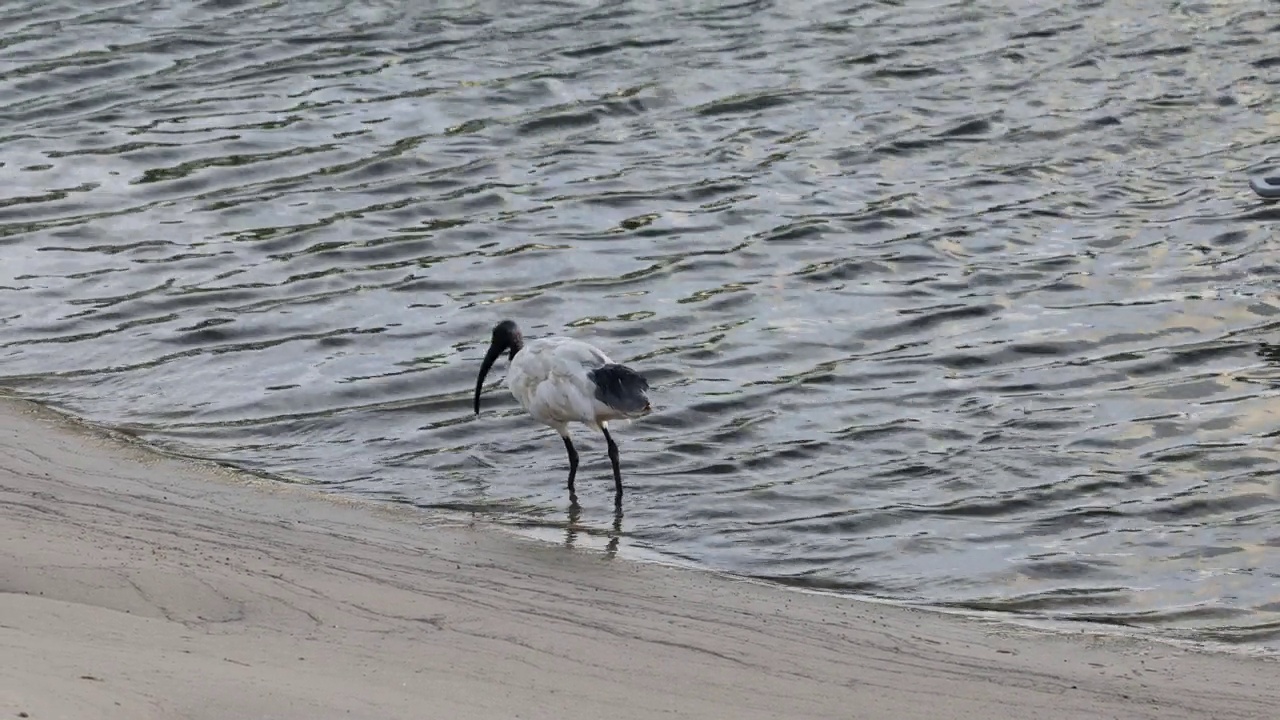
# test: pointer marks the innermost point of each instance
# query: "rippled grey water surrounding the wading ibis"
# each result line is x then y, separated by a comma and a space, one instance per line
952, 303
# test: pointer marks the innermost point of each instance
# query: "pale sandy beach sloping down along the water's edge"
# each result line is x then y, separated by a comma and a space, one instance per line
138, 586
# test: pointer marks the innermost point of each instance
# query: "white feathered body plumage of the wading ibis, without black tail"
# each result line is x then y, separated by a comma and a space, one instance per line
551, 380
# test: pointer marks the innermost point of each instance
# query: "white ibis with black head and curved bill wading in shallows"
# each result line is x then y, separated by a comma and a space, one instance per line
561, 381
